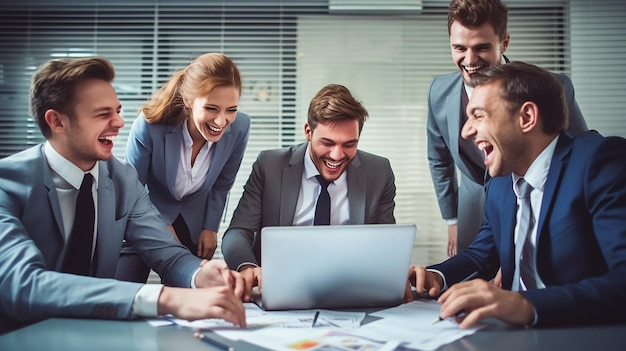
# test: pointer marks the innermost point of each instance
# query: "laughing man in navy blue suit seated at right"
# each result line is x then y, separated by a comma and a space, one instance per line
577, 245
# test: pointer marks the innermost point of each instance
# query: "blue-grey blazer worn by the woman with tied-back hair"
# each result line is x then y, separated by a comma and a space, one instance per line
154, 151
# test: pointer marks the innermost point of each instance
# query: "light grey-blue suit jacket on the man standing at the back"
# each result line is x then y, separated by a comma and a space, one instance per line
444, 131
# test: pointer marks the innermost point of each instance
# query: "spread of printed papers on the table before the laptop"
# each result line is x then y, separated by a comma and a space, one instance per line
409, 325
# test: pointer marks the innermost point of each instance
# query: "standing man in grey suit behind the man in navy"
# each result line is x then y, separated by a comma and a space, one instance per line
478, 39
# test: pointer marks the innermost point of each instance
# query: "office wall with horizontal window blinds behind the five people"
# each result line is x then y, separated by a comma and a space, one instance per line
385, 51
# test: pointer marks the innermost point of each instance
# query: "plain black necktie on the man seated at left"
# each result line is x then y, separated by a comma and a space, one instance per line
78, 253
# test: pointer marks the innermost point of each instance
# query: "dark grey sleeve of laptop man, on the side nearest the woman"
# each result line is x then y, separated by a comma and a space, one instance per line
237, 243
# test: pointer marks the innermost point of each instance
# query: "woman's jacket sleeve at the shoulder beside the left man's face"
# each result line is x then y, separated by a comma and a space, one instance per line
139, 147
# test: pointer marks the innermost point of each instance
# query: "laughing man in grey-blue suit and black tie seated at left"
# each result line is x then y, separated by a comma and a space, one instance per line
44, 270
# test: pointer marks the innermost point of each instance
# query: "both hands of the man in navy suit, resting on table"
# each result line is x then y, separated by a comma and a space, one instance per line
478, 298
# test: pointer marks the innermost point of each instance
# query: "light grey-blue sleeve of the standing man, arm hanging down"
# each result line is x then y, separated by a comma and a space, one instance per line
440, 161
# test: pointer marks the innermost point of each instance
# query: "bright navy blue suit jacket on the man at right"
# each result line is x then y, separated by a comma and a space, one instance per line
581, 238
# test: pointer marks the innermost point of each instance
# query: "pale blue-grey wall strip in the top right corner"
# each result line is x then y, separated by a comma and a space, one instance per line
598, 49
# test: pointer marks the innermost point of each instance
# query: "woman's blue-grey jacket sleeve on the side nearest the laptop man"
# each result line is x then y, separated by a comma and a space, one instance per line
217, 195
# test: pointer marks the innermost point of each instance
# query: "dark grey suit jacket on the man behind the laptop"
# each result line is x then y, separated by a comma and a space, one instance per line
271, 193
